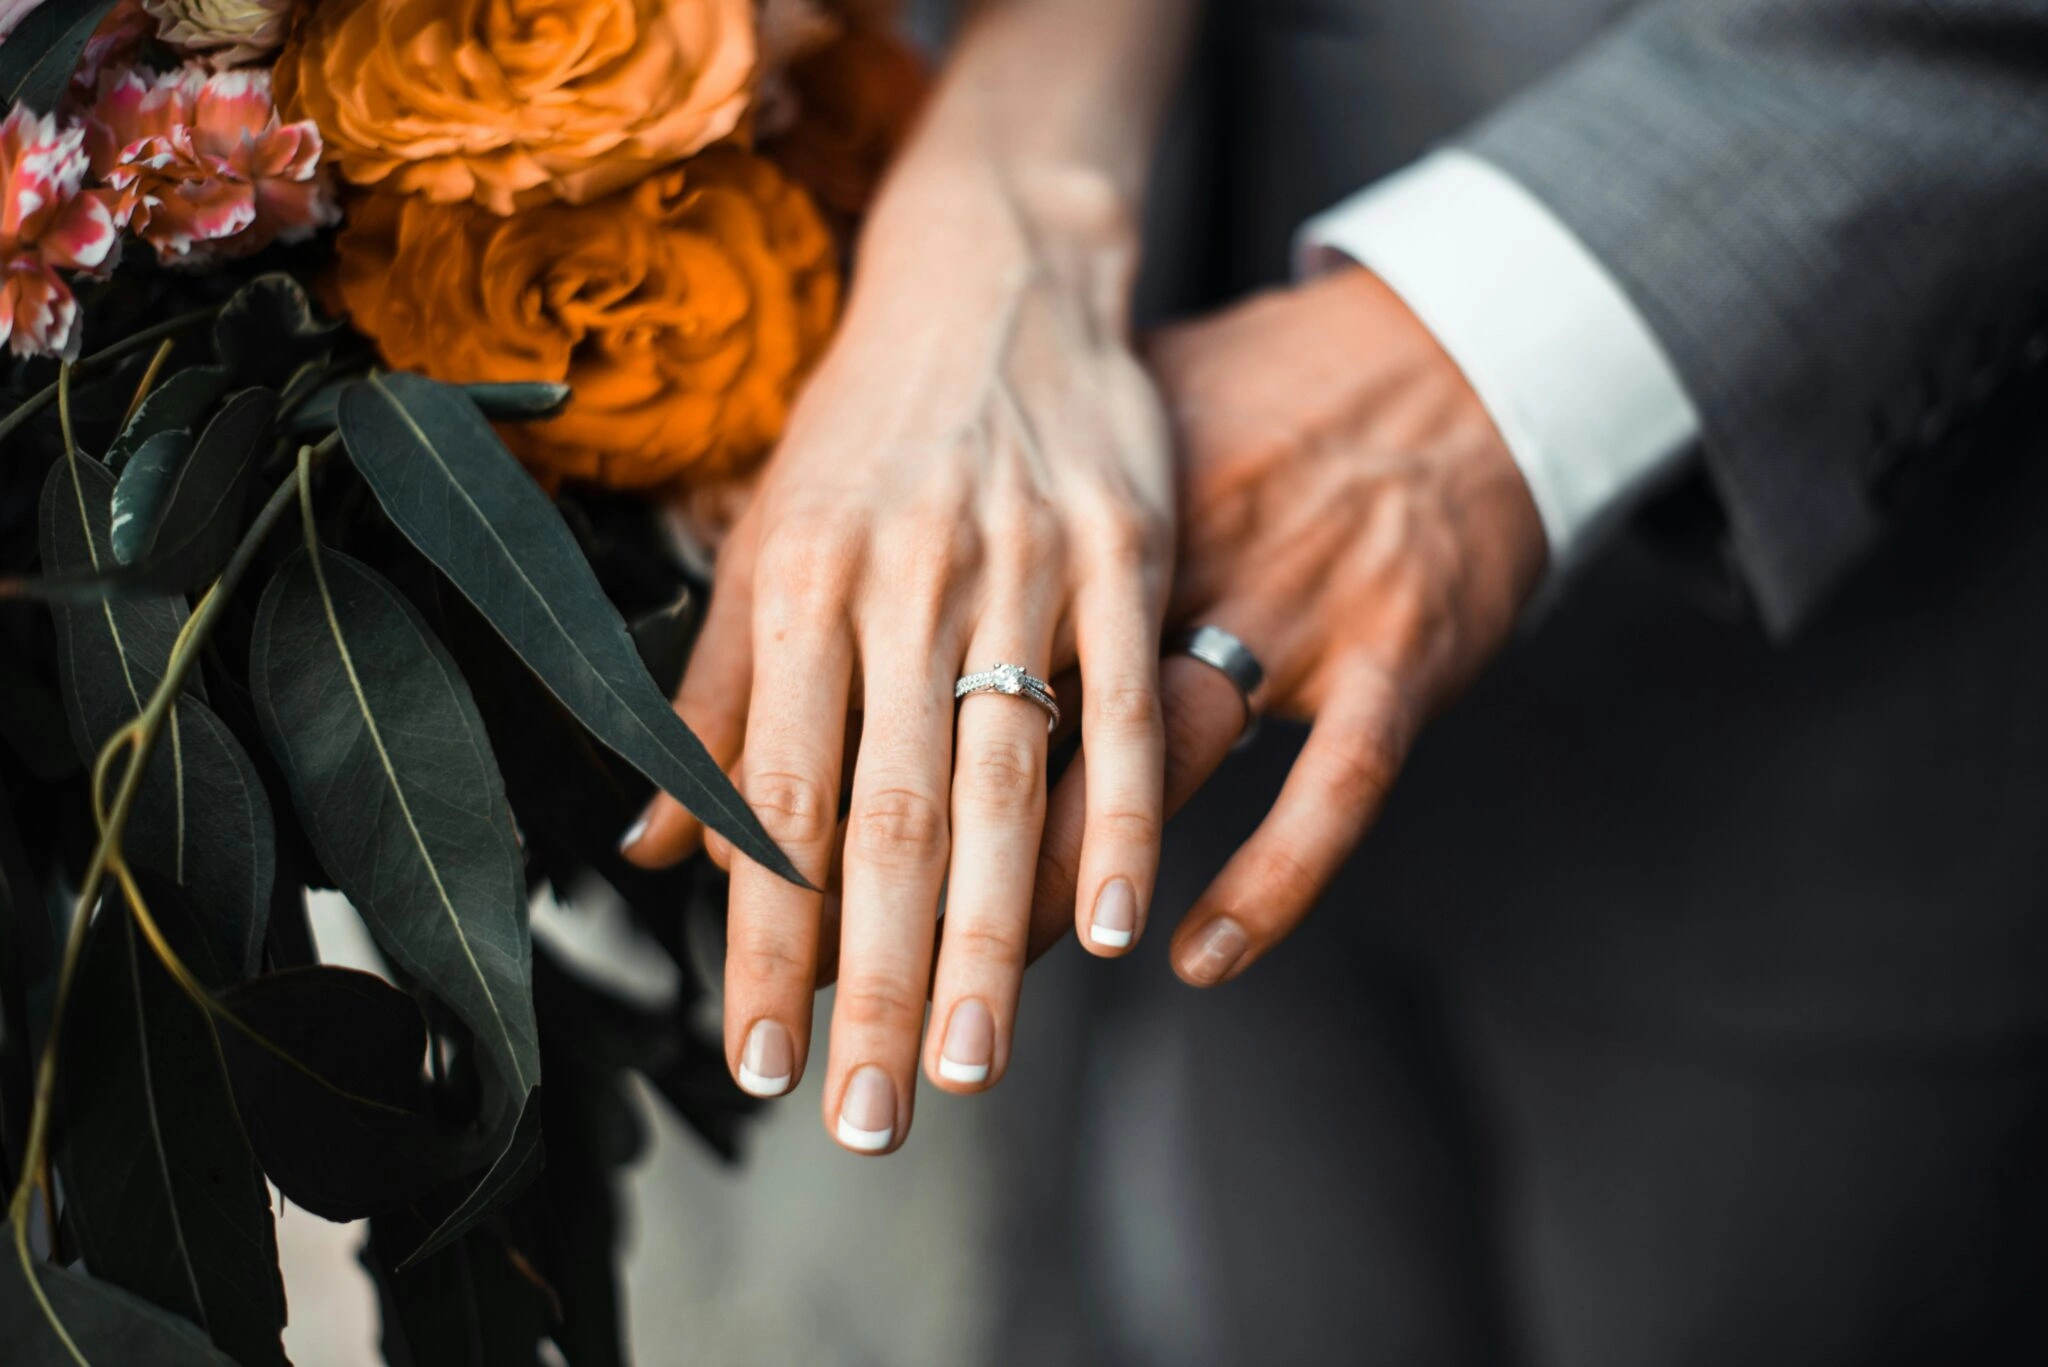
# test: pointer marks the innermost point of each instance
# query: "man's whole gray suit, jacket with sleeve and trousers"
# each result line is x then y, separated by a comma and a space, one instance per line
1689, 1003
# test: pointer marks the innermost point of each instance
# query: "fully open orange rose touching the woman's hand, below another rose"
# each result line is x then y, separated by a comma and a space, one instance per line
683, 313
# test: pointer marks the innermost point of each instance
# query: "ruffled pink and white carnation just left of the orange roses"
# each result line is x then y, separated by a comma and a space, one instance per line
202, 167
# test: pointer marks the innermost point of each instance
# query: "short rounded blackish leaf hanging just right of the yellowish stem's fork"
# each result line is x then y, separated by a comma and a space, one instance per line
337, 1106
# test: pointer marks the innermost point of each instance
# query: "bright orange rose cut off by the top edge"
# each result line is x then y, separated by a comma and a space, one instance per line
517, 101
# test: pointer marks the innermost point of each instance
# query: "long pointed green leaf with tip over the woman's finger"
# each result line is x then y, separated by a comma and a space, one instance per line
452, 487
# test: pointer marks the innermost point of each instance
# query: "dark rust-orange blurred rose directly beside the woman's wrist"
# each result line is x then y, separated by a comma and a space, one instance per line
855, 103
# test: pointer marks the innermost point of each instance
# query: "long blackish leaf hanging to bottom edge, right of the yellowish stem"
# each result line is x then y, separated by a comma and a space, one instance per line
161, 1186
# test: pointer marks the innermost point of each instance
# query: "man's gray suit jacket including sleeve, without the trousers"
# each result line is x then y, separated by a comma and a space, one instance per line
1777, 765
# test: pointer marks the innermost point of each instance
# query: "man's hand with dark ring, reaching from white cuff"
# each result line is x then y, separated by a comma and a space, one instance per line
1355, 517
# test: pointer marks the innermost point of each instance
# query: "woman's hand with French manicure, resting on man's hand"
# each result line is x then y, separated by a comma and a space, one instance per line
978, 474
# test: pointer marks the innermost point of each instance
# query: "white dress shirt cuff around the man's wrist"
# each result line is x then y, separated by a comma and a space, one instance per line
1570, 372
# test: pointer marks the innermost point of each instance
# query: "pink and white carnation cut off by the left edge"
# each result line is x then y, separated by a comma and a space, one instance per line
48, 224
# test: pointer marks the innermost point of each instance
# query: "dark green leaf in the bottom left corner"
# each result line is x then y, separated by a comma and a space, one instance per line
108, 1327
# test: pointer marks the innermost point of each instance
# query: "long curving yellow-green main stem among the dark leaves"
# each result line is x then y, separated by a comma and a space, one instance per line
140, 741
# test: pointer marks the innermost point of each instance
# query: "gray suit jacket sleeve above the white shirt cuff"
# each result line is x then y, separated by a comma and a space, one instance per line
1834, 214
